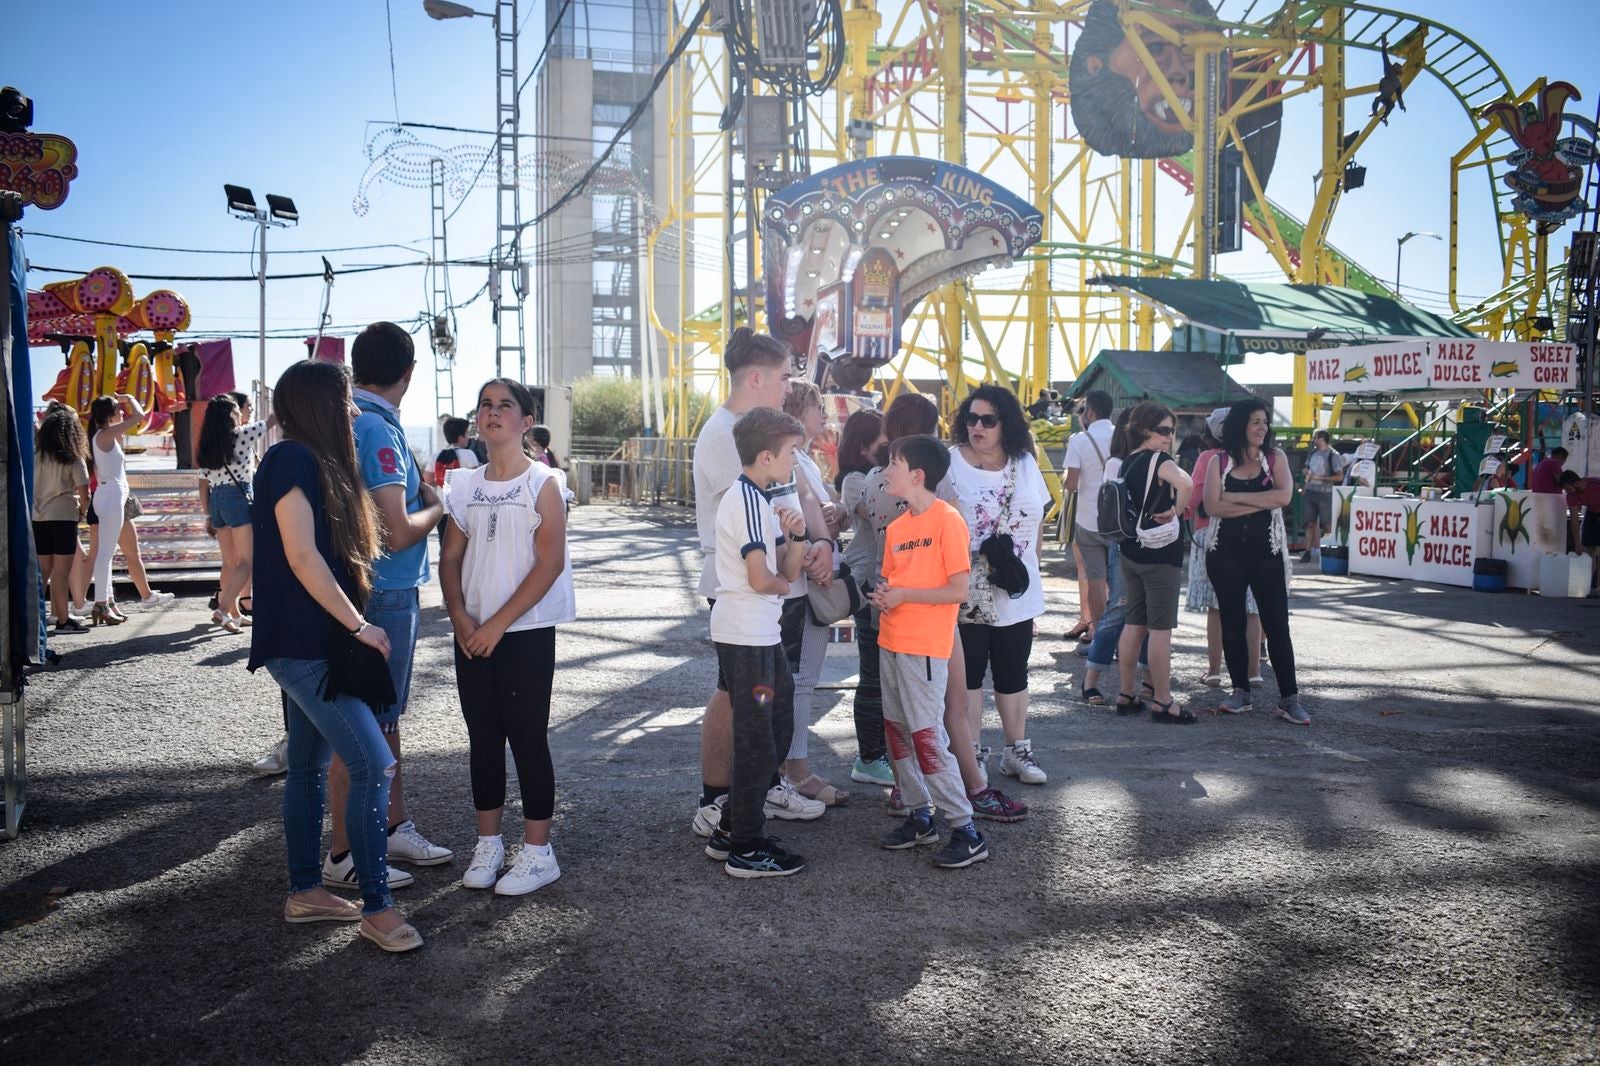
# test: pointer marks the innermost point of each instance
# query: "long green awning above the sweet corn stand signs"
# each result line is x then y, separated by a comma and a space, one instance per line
1234, 319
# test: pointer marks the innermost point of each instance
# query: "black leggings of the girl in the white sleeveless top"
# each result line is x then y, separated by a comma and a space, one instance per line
506, 699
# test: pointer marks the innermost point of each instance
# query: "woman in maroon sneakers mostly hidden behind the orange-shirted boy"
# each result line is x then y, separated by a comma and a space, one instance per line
908, 417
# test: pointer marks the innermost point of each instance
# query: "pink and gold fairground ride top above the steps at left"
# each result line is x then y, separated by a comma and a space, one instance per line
89, 318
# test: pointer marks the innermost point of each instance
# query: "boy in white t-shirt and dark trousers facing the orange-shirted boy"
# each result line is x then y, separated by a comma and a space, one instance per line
759, 555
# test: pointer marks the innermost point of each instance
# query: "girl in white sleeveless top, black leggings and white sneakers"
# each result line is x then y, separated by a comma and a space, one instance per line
508, 582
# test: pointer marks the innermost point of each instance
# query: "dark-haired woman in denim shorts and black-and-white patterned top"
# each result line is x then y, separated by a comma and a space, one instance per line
228, 459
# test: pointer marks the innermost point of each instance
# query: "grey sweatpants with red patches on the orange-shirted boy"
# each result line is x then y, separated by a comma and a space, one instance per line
914, 732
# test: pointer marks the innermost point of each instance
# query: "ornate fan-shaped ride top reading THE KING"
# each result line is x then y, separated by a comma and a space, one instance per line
850, 252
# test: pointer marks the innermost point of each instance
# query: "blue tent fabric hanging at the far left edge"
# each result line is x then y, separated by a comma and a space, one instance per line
26, 599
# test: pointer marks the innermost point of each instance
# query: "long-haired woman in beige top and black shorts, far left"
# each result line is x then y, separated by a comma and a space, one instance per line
62, 499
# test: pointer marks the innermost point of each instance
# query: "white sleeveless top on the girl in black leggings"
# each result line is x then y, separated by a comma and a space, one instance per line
500, 521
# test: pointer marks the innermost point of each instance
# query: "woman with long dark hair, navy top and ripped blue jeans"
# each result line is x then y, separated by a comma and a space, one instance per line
316, 535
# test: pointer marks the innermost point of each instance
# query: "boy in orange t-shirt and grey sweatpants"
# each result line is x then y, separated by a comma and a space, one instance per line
924, 583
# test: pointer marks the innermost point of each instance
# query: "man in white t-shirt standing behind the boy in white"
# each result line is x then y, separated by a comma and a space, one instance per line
759, 372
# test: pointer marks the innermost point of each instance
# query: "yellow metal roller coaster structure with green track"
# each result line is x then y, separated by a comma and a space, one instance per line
986, 84
